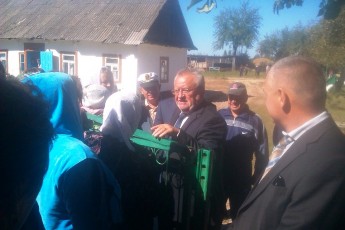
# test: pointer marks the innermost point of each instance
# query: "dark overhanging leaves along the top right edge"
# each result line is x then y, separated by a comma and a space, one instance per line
329, 9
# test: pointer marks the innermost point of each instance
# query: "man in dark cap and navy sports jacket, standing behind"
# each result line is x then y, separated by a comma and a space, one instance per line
246, 135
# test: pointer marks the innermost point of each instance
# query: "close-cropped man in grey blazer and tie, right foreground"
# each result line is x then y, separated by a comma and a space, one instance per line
305, 188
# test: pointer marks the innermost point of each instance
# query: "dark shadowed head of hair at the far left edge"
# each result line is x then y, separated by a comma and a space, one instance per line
25, 138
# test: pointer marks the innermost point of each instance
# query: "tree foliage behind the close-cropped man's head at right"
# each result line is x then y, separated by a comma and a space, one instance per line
325, 42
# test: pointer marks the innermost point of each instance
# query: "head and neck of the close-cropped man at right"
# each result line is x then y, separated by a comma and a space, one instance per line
295, 91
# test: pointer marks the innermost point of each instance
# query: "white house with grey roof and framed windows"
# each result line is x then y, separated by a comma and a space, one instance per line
80, 36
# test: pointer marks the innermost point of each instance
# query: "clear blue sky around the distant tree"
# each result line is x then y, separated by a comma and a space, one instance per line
201, 25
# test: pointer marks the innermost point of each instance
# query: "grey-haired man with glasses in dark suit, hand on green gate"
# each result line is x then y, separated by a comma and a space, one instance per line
197, 124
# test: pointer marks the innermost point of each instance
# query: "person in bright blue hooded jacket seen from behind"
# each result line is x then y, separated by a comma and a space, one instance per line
78, 191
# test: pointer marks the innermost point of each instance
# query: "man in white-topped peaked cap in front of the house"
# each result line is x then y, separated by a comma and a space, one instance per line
150, 90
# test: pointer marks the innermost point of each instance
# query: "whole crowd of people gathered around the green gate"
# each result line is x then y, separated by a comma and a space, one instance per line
54, 179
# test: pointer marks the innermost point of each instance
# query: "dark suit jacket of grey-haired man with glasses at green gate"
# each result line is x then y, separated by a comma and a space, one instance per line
205, 128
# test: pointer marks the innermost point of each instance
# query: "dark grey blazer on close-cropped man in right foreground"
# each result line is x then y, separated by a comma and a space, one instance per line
305, 189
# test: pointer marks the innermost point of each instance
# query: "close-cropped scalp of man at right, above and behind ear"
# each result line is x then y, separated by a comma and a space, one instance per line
303, 78
